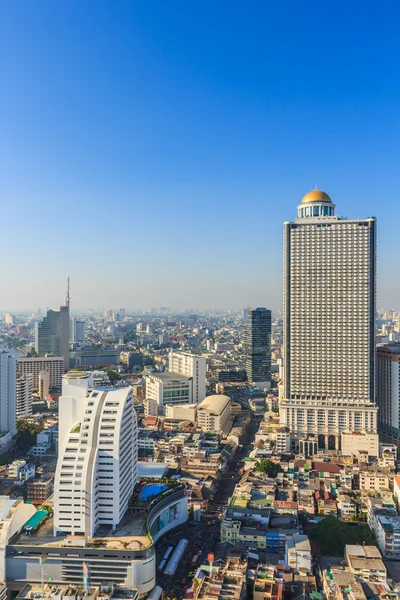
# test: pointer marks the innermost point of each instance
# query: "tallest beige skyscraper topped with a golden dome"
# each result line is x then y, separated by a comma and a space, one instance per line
329, 324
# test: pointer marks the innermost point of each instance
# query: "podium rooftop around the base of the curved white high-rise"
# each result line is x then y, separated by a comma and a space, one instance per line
129, 535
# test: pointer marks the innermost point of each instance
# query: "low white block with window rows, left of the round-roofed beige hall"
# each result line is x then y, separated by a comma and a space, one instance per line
168, 388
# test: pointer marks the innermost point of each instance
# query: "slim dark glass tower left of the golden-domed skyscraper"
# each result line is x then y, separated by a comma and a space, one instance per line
257, 346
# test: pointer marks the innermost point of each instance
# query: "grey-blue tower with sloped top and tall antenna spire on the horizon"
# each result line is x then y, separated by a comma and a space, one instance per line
52, 333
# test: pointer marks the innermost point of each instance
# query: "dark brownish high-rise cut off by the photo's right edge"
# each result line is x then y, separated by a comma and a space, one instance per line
388, 393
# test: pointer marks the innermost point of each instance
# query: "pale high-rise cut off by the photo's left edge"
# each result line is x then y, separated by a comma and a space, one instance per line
8, 380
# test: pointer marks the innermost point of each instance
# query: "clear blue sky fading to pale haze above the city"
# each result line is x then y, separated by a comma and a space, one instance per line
152, 149
